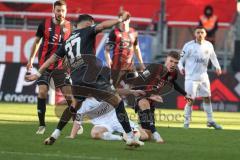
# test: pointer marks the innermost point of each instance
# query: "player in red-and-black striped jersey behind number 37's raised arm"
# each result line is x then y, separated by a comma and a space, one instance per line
123, 41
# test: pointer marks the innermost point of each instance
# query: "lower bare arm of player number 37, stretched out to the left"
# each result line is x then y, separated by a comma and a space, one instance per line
45, 65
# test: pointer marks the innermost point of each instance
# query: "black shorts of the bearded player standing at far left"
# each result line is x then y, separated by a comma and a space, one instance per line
58, 76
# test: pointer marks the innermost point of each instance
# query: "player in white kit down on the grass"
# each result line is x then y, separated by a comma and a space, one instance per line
103, 116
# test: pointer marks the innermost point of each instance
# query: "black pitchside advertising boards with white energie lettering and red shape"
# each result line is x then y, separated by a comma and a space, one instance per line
225, 90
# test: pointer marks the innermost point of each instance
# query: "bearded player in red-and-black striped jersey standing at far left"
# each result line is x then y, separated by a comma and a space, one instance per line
51, 34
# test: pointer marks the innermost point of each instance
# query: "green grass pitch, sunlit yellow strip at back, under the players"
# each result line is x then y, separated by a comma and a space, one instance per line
18, 123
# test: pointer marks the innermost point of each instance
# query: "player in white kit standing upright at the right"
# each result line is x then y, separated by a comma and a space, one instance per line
193, 64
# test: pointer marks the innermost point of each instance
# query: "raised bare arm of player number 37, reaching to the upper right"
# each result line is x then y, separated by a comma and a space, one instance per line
109, 23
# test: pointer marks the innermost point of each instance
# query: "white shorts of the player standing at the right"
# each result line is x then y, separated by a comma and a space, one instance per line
198, 88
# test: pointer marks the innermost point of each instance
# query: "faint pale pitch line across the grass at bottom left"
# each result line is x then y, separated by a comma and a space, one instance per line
56, 155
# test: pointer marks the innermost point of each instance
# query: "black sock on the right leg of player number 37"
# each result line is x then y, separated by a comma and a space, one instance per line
123, 117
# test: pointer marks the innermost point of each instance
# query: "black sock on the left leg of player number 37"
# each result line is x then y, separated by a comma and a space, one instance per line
66, 116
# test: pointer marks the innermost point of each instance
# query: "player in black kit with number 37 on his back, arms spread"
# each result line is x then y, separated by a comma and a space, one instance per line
87, 79
